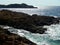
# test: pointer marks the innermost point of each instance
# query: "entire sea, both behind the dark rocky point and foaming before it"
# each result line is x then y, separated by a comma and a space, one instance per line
52, 36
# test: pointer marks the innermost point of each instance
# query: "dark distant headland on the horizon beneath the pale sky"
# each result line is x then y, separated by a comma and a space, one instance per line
23, 5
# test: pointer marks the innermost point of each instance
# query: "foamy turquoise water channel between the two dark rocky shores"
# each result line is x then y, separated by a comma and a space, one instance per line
52, 36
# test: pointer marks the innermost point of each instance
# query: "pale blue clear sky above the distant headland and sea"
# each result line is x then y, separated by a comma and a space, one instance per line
36, 3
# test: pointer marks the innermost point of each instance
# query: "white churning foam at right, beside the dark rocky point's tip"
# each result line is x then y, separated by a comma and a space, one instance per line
53, 31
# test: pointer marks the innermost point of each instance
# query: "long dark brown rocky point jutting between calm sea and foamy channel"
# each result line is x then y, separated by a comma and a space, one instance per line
27, 22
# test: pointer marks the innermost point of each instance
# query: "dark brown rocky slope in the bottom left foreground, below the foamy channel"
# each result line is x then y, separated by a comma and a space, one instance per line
7, 38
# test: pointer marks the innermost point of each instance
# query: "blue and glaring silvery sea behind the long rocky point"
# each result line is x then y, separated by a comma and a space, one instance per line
47, 11
